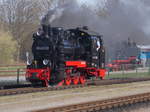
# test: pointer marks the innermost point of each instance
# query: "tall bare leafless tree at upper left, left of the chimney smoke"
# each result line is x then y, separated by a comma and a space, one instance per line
21, 18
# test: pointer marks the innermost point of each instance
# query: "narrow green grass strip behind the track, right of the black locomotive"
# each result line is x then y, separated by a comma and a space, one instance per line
128, 75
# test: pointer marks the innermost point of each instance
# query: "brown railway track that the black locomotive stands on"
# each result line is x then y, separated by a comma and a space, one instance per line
7, 92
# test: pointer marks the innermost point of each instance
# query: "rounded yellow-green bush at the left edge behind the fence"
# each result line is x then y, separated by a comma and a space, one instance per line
7, 48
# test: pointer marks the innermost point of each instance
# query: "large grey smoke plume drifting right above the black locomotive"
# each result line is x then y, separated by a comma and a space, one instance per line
116, 20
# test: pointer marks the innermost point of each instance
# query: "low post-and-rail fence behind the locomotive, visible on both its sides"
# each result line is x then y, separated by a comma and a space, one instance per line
16, 73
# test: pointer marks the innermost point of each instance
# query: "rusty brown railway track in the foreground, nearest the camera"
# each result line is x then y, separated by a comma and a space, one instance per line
96, 106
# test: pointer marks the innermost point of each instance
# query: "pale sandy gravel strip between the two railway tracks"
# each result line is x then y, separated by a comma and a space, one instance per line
41, 100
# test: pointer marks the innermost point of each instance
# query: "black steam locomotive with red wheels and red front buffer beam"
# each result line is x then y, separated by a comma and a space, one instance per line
65, 56
